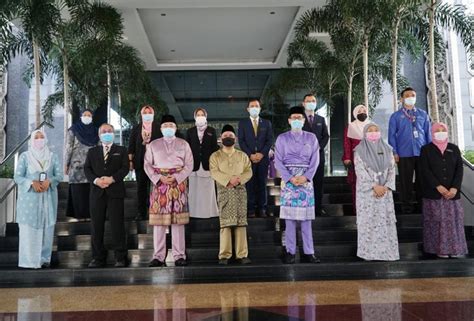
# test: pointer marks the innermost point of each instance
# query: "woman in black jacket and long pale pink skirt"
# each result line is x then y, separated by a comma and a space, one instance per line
203, 142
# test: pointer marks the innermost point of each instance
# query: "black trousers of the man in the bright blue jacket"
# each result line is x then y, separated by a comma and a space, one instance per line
407, 167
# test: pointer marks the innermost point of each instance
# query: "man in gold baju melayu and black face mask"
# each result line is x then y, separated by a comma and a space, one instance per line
231, 169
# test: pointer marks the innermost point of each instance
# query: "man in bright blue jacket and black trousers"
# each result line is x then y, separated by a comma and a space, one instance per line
409, 130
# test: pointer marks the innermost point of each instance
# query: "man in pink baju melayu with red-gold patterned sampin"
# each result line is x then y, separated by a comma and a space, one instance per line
168, 164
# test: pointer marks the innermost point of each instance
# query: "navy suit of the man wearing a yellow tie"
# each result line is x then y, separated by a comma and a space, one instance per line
251, 144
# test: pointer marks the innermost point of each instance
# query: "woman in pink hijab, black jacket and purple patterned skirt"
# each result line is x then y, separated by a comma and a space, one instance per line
443, 215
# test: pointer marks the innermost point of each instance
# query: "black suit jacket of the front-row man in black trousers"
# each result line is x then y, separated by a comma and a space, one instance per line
116, 166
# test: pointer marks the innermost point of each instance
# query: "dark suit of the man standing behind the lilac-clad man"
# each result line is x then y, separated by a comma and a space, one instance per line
319, 128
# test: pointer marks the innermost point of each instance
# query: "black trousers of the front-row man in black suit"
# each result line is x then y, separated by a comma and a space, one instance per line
112, 208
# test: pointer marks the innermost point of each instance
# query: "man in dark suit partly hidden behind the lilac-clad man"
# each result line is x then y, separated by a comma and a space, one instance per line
317, 125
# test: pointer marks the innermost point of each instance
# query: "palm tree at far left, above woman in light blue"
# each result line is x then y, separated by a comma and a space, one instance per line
38, 19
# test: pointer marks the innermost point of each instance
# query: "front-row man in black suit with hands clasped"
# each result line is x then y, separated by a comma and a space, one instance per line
106, 166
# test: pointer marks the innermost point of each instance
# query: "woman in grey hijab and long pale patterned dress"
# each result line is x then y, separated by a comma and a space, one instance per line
376, 222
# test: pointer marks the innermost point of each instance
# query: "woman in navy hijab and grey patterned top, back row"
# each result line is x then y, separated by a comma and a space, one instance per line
81, 137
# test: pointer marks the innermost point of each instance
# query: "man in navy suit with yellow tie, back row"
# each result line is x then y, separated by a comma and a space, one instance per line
256, 139
